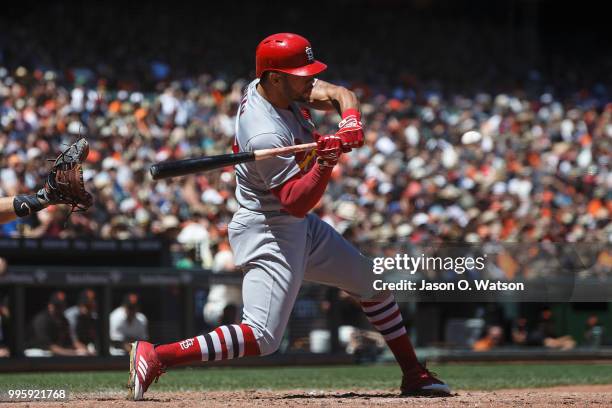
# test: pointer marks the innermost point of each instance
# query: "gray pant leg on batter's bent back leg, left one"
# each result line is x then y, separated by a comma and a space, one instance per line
272, 250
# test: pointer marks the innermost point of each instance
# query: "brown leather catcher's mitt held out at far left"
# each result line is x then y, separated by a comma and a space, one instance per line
64, 184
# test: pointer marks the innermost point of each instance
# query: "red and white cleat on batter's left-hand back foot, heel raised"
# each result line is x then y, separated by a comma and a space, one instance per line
144, 368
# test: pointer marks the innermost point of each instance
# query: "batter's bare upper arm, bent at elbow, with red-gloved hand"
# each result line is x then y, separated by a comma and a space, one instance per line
326, 96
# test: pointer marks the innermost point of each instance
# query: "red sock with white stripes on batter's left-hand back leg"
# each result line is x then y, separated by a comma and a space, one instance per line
225, 342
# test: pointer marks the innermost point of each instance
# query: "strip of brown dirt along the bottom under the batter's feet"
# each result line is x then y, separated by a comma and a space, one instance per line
583, 395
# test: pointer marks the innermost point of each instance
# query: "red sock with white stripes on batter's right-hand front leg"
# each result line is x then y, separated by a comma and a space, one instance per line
386, 317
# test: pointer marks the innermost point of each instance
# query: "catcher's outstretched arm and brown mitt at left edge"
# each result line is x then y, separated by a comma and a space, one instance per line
64, 185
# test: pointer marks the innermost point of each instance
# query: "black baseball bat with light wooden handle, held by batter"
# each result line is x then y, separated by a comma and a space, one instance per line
177, 168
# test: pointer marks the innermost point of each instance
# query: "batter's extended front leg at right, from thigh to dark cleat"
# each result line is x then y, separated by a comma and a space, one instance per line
333, 261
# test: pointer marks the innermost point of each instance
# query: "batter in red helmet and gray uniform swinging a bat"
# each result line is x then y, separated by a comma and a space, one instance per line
273, 236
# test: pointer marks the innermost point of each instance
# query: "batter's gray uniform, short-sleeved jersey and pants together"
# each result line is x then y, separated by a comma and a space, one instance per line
275, 250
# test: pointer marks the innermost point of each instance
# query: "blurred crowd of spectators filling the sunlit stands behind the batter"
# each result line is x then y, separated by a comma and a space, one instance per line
532, 169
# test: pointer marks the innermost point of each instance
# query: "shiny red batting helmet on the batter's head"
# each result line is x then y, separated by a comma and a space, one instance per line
288, 53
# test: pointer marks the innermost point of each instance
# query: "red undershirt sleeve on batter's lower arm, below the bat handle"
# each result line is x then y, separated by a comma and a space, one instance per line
301, 193
